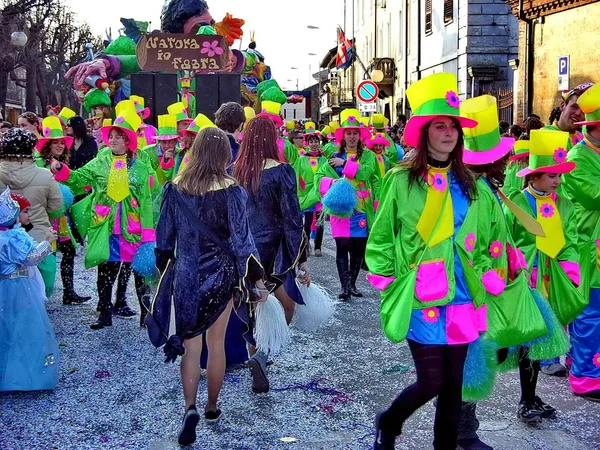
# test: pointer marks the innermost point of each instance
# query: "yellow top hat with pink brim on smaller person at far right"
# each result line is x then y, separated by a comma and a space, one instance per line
547, 153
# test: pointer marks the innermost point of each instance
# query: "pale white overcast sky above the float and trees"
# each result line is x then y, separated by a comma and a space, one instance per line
285, 42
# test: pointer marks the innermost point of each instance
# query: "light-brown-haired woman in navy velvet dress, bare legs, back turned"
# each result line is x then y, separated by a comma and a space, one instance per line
207, 257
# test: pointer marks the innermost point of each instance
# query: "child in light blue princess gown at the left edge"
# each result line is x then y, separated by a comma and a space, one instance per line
29, 356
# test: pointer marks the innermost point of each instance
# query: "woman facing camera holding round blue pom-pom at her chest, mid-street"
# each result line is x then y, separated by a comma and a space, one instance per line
351, 168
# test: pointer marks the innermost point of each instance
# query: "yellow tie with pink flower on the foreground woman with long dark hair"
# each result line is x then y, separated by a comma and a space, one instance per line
438, 187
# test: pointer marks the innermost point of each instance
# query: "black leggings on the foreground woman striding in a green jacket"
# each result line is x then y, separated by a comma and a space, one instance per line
439, 373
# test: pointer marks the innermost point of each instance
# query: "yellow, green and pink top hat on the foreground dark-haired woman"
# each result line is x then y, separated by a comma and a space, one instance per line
431, 97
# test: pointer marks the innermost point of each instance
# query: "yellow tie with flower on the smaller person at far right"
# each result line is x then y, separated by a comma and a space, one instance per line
549, 218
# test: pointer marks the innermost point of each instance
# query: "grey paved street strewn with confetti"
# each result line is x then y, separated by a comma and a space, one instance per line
115, 391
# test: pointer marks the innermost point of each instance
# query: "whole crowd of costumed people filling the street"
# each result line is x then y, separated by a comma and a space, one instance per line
213, 218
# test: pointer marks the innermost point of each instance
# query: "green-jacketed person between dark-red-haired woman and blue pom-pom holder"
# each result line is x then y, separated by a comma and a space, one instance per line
310, 201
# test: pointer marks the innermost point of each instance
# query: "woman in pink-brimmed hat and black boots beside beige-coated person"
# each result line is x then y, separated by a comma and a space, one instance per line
54, 145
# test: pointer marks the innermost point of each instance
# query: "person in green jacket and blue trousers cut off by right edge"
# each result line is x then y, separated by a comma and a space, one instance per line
583, 189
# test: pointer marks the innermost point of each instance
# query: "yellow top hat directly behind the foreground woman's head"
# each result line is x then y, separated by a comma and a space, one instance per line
483, 143
